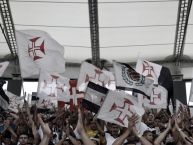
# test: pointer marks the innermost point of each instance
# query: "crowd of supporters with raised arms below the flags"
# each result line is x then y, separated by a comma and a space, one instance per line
32, 126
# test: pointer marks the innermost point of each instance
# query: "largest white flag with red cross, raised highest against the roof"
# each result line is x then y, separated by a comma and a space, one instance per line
38, 50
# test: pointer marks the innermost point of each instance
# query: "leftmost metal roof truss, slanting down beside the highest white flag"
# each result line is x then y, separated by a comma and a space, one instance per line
8, 28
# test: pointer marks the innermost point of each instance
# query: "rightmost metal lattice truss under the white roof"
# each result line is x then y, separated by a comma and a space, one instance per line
181, 28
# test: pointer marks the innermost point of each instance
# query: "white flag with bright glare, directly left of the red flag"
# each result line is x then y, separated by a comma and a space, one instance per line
52, 87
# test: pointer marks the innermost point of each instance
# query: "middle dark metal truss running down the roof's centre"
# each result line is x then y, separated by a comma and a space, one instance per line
94, 31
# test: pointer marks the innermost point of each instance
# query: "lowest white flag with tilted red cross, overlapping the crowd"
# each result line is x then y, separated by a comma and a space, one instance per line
118, 107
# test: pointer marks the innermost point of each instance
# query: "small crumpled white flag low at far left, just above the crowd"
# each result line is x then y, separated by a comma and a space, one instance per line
14, 101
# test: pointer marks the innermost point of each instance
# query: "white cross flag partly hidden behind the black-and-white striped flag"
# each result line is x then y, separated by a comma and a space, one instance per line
89, 72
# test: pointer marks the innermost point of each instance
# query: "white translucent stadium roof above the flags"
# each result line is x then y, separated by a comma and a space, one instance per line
128, 29
